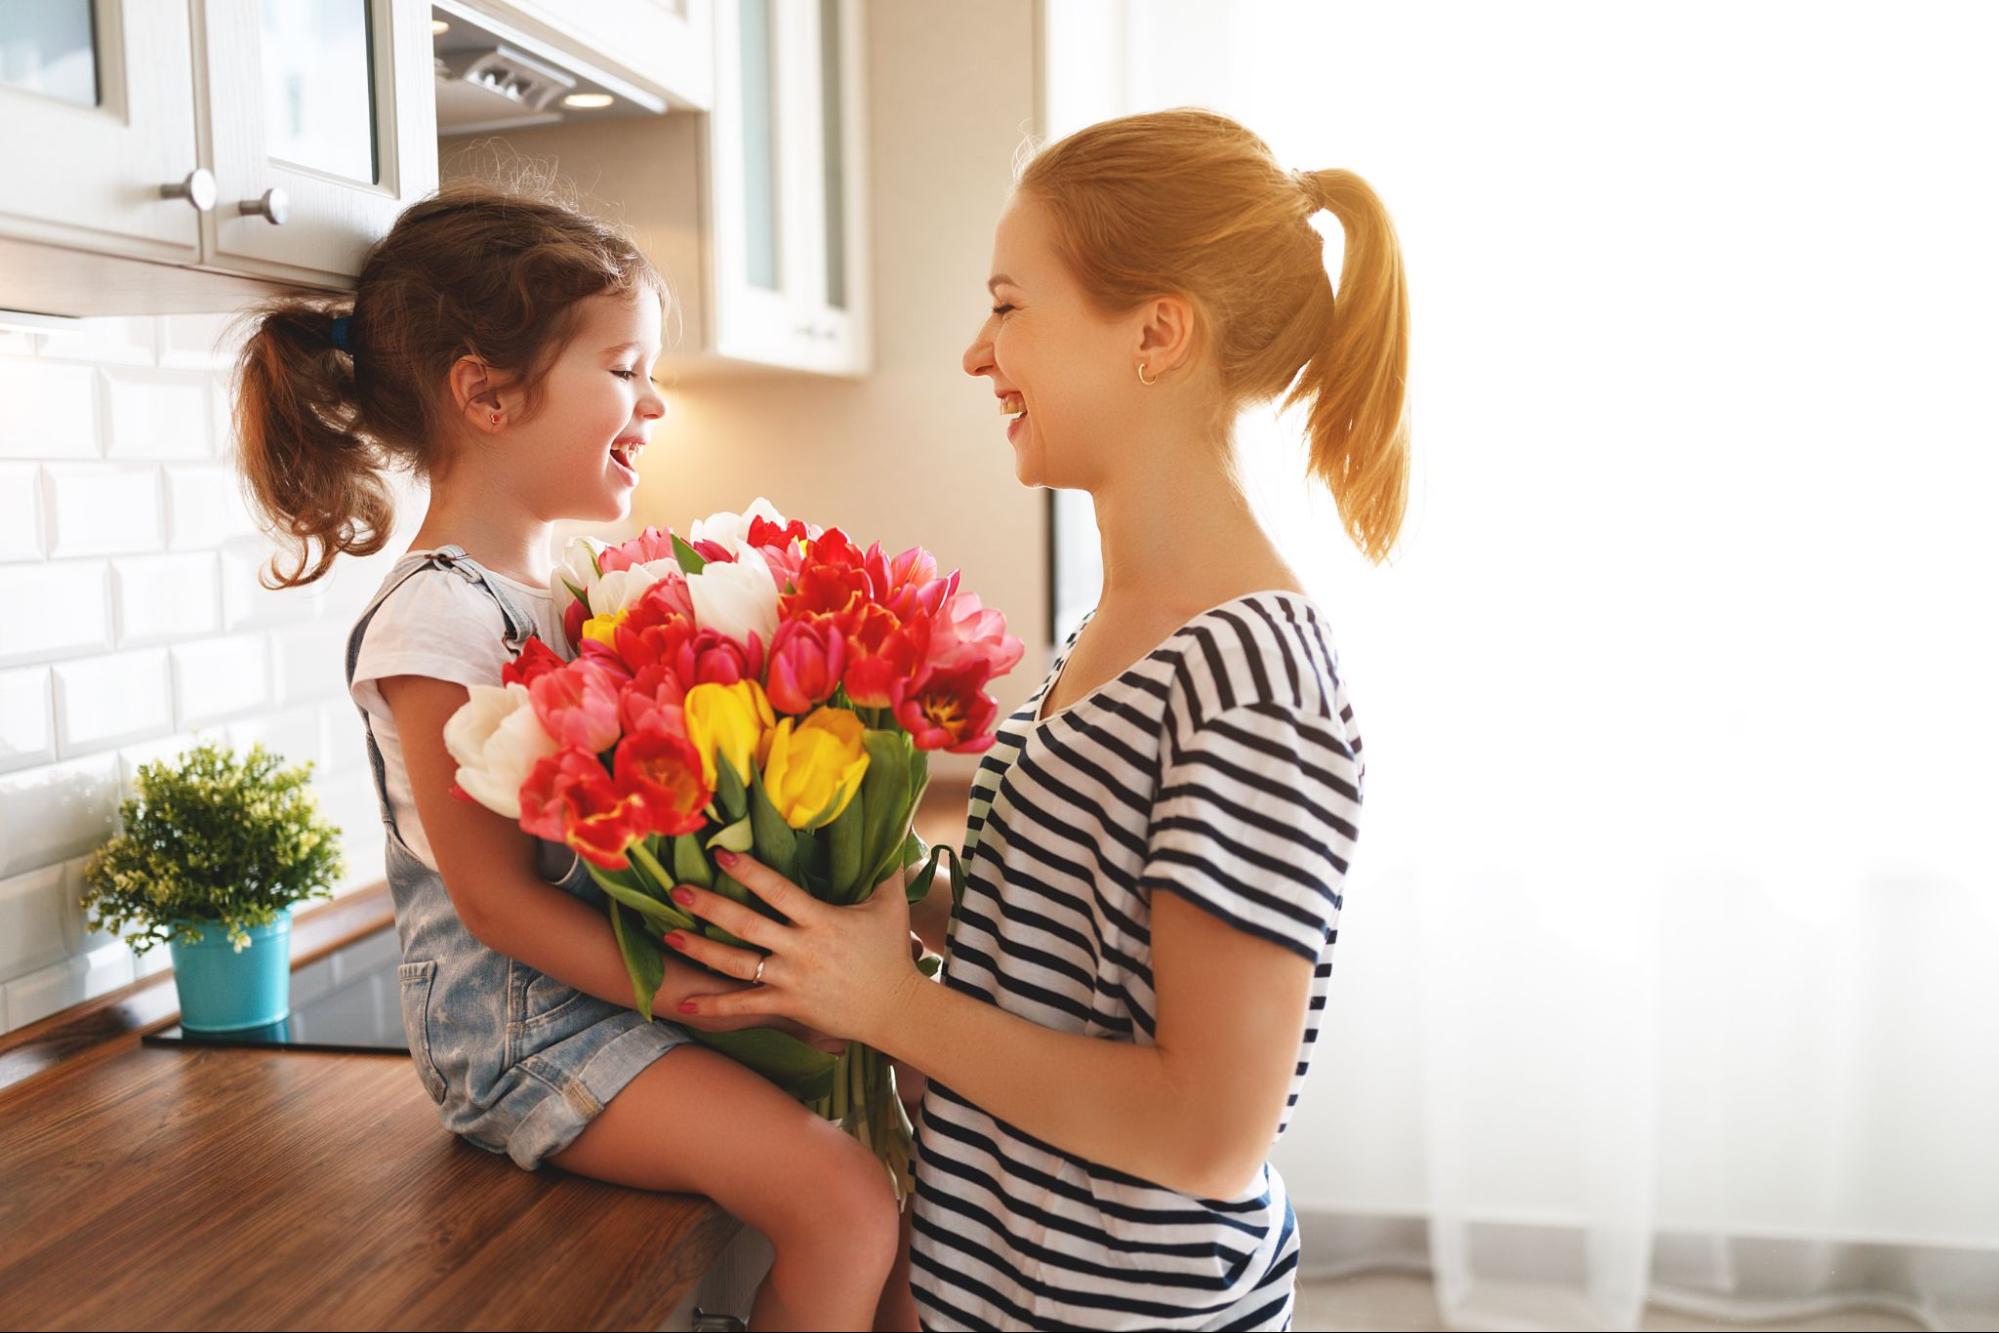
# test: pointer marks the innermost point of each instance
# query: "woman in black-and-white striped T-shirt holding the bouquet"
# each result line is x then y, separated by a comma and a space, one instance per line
1160, 836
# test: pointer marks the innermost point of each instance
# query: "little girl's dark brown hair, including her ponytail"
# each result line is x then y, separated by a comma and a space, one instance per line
473, 271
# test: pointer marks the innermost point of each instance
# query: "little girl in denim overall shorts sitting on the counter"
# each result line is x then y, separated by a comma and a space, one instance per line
501, 347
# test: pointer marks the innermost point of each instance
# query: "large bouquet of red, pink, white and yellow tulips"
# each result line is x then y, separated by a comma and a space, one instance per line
767, 688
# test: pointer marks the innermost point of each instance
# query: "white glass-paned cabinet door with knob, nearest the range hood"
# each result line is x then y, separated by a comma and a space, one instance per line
327, 109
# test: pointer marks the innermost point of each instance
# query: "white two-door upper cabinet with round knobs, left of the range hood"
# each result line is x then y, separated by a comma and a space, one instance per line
187, 157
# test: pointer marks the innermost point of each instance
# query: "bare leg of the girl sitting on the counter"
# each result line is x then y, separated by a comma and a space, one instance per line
697, 1122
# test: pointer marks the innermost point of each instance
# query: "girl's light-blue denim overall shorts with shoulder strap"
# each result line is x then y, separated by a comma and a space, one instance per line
517, 1062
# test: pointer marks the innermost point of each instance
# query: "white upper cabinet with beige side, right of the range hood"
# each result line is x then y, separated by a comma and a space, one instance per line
759, 211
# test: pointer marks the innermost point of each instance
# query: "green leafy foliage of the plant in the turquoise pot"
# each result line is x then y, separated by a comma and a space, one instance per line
211, 840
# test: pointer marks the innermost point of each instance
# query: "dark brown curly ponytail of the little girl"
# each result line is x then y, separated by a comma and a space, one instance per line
299, 441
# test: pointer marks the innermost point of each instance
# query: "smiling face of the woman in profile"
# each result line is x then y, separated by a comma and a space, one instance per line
1058, 367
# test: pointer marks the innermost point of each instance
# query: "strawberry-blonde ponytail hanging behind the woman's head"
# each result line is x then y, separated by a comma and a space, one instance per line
1356, 379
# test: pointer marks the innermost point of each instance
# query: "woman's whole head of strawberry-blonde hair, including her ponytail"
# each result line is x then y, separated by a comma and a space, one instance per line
1192, 203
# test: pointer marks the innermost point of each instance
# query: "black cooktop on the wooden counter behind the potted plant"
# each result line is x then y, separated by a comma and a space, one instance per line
343, 1002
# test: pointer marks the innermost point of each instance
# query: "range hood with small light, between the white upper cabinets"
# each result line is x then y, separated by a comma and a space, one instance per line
495, 77
